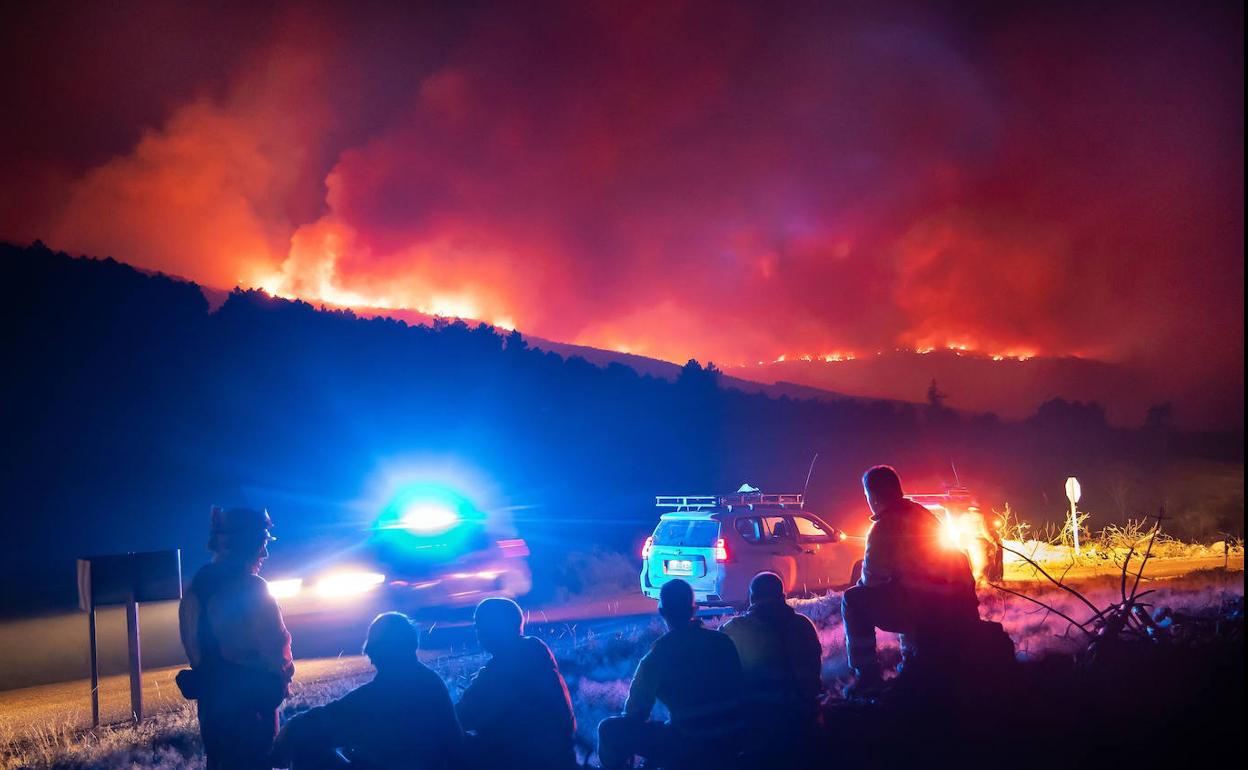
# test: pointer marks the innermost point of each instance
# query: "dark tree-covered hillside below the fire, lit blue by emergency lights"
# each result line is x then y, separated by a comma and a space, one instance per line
128, 400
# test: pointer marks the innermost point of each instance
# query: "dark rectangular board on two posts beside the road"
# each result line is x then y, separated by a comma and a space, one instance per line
127, 580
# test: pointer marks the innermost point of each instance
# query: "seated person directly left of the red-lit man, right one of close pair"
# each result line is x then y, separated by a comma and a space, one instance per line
782, 660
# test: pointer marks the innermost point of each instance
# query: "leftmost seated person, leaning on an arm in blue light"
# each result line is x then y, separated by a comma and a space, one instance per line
402, 719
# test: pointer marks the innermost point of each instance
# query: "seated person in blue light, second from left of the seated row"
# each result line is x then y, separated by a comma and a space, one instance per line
516, 709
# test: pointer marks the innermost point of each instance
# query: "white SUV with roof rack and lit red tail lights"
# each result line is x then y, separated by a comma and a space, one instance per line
718, 543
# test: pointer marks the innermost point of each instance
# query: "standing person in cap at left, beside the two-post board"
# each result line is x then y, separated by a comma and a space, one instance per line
238, 645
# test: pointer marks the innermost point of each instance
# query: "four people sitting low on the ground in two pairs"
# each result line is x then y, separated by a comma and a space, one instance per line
758, 676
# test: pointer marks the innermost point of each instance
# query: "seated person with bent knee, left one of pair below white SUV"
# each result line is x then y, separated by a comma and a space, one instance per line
695, 672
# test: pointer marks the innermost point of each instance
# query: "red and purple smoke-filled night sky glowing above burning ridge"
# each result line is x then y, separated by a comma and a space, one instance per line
727, 180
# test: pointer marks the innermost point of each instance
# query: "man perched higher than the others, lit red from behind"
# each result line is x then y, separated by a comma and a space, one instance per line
912, 583
